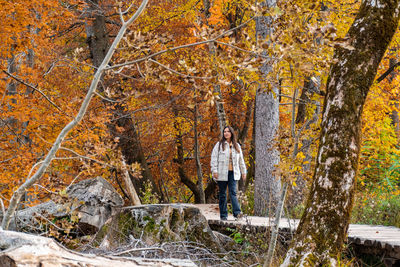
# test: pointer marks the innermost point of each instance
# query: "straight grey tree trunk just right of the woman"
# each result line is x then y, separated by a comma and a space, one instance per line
267, 185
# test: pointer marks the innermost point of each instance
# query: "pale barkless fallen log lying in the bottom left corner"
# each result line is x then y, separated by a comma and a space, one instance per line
20, 249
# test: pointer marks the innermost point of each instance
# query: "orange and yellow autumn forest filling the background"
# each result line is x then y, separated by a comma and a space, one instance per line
183, 69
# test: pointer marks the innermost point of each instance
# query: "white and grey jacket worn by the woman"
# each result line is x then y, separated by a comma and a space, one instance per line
220, 162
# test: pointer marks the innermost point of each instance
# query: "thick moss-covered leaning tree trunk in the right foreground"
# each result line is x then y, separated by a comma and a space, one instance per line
322, 229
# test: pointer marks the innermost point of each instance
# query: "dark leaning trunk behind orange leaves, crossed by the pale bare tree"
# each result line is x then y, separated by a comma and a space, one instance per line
129, 140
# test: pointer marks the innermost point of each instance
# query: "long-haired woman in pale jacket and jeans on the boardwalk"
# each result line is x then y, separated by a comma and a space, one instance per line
227, 166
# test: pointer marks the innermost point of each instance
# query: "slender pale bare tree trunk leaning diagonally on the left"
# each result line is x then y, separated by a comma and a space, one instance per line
85, 104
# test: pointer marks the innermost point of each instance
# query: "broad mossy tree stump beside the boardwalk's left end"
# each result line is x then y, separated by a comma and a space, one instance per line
155, 224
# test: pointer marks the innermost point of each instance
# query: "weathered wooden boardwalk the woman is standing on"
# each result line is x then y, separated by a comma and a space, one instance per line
371, 239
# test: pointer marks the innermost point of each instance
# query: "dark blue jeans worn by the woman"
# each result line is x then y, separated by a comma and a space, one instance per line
231, 183
